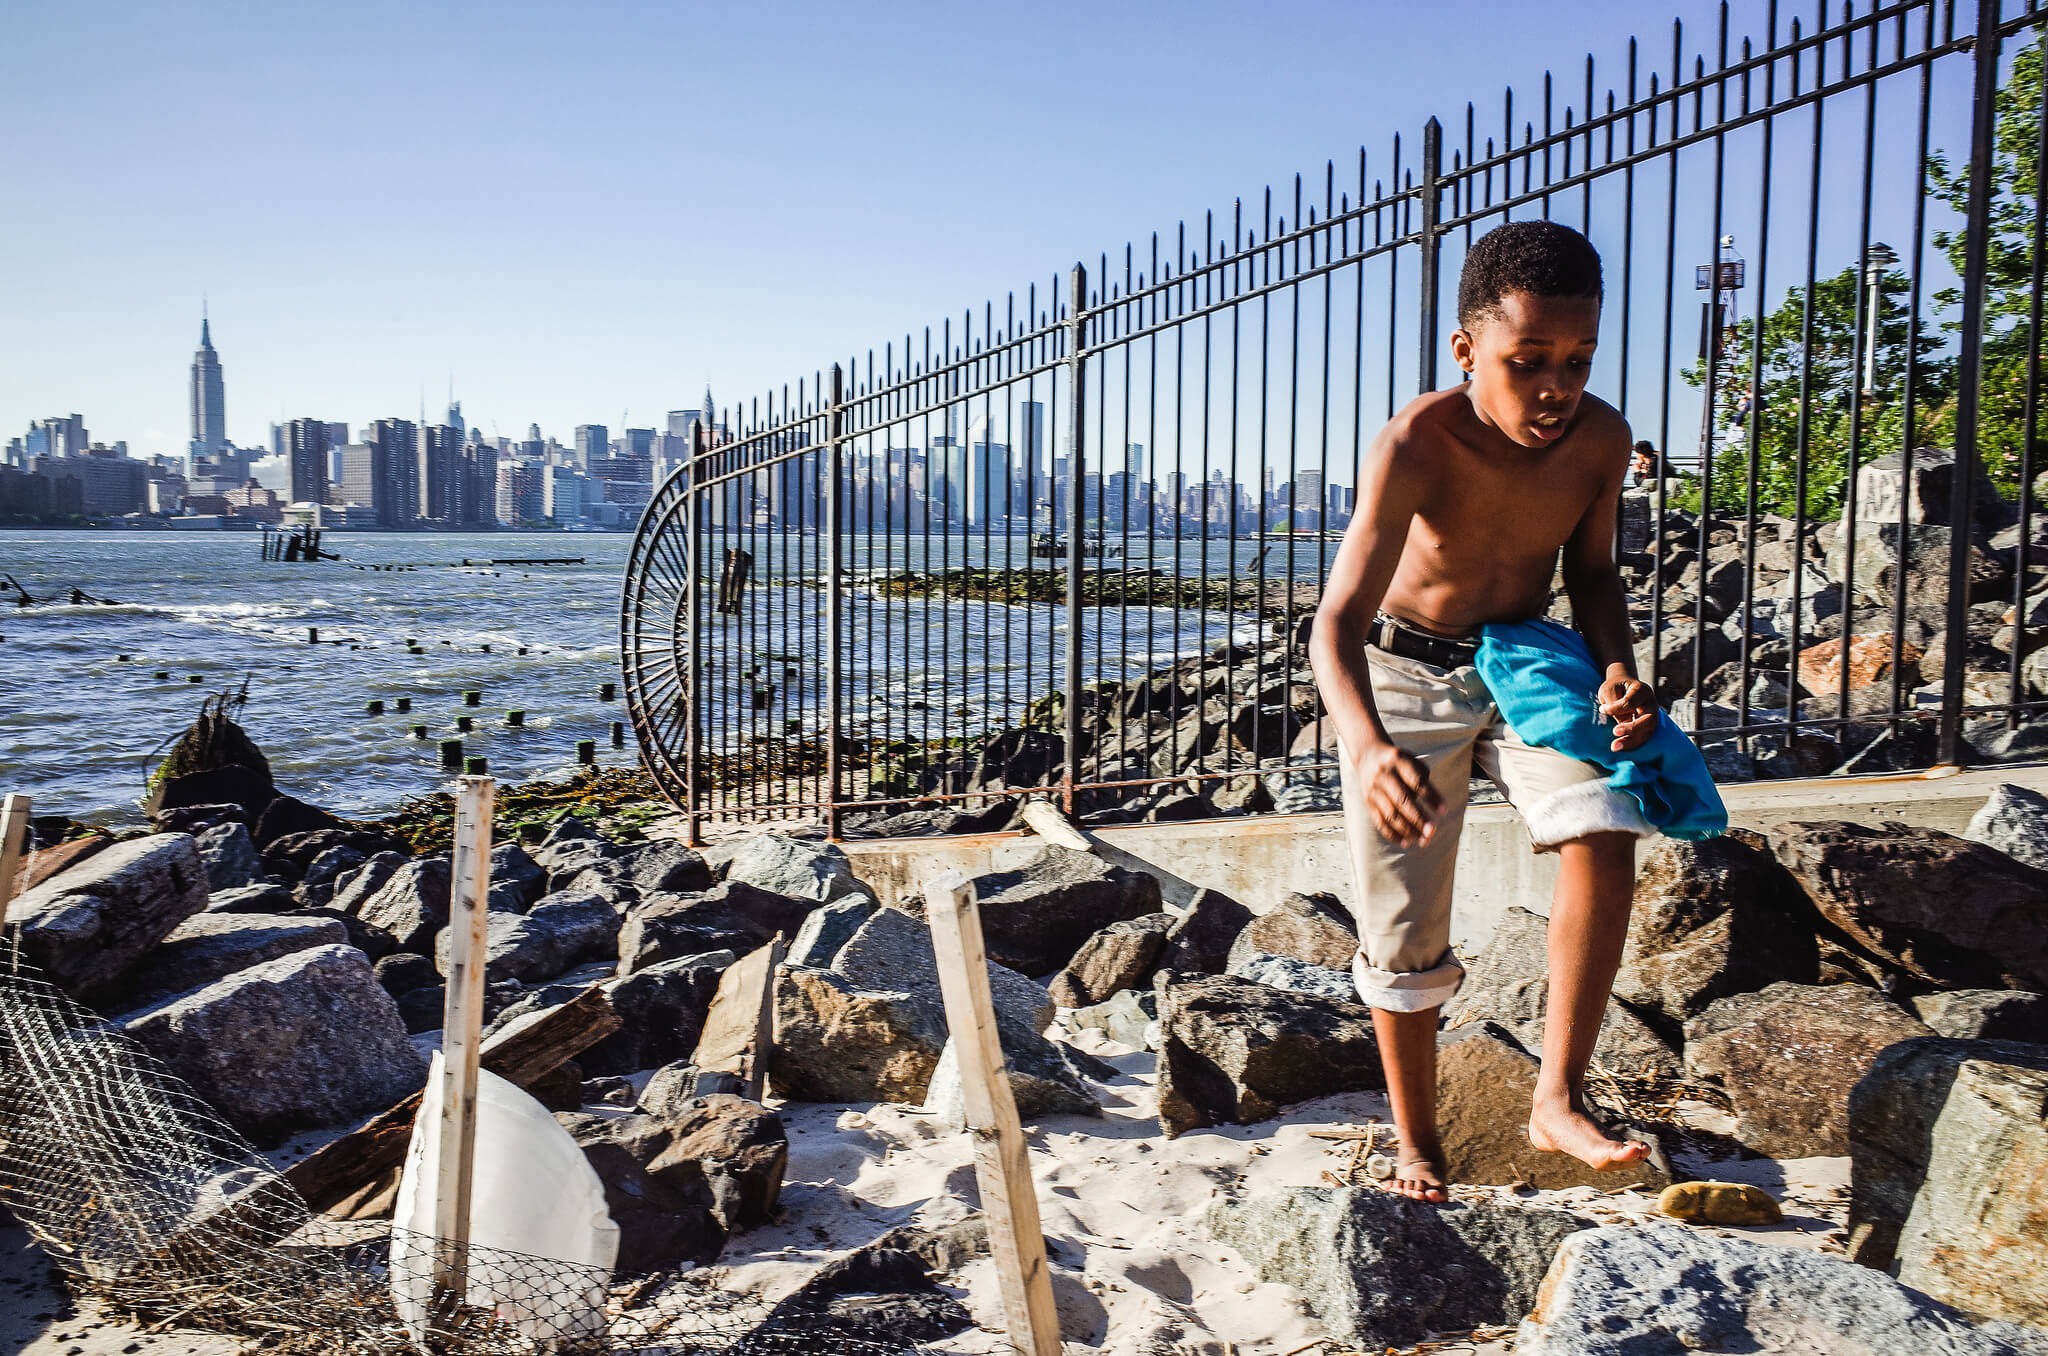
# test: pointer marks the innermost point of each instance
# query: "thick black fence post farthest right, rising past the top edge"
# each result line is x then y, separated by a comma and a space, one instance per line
1971, 380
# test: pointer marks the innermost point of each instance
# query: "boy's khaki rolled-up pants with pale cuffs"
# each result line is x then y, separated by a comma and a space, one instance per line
1402, 896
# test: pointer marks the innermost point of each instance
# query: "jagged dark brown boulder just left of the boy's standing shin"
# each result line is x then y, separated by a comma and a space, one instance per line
1236, 1052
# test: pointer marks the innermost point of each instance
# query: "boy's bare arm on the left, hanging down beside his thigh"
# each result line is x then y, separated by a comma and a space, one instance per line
1398, 786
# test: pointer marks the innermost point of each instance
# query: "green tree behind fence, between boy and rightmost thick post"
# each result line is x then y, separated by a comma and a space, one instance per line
1828, 370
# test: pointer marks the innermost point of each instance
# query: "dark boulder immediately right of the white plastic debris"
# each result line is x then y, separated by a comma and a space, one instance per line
663, 1207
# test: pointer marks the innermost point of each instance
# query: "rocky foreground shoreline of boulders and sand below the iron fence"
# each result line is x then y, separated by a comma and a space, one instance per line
1828, 992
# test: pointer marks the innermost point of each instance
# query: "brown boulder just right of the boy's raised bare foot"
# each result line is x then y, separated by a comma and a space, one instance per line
1789, 1056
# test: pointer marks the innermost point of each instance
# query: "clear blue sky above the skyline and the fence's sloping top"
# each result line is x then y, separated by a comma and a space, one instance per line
591, 212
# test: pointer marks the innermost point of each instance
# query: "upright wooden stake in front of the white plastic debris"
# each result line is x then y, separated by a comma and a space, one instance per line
462, 1035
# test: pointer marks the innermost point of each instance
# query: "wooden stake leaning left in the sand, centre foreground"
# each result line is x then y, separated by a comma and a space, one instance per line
1002, 1164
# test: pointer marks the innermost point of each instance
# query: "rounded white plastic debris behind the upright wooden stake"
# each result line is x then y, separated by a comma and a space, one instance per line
534, 1195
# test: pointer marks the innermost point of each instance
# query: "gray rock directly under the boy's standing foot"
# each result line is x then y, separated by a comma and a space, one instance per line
1383, 1271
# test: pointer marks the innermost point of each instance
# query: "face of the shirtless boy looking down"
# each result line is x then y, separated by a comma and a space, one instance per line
1529, 364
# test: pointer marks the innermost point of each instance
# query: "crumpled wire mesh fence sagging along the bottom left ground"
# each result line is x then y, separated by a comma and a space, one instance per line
157, 1207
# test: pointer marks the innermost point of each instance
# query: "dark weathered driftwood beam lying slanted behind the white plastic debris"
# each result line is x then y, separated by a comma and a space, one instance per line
343, 1169
